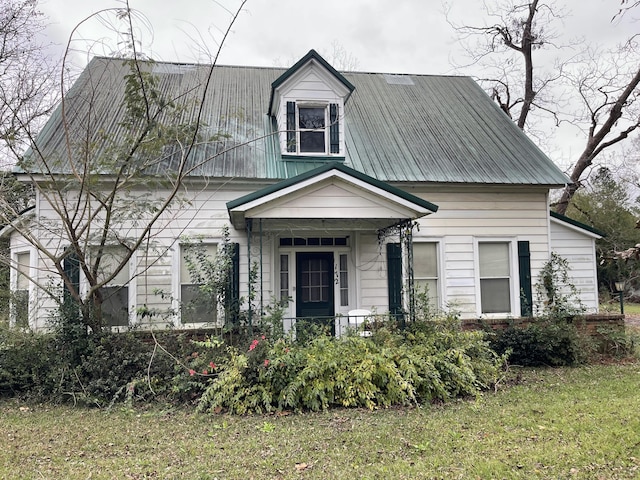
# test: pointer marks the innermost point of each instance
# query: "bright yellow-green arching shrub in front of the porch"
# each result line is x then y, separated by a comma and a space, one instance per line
422, 365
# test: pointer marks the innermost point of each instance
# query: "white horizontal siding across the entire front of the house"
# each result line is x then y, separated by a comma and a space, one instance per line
464, 217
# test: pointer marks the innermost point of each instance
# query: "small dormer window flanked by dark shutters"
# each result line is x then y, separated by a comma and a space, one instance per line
313, 129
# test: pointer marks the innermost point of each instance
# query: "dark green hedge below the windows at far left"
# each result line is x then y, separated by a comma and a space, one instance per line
98, 370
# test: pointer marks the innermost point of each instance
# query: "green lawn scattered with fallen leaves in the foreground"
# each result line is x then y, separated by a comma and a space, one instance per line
580, 423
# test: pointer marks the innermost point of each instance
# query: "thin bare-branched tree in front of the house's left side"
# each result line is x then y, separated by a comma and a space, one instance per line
98, 187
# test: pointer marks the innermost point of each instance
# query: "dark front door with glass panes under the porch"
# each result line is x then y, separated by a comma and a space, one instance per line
314, 292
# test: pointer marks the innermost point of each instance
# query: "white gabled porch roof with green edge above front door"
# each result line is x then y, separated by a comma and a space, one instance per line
330, 192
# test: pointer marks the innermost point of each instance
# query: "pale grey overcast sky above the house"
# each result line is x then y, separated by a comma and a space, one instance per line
399, 36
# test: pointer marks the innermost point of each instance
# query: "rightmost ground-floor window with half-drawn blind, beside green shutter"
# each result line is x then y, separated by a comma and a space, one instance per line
495, 277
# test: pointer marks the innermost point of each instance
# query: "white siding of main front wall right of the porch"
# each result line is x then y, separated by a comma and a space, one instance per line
469, 215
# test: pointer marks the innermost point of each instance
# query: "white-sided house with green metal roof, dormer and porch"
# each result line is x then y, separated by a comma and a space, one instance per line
341, 191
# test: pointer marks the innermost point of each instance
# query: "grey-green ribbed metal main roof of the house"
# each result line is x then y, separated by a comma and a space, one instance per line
398, 128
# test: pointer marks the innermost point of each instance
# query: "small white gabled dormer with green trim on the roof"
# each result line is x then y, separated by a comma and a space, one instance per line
307, 102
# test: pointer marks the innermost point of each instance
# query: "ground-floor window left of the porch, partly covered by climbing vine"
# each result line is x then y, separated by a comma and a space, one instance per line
196, 305
